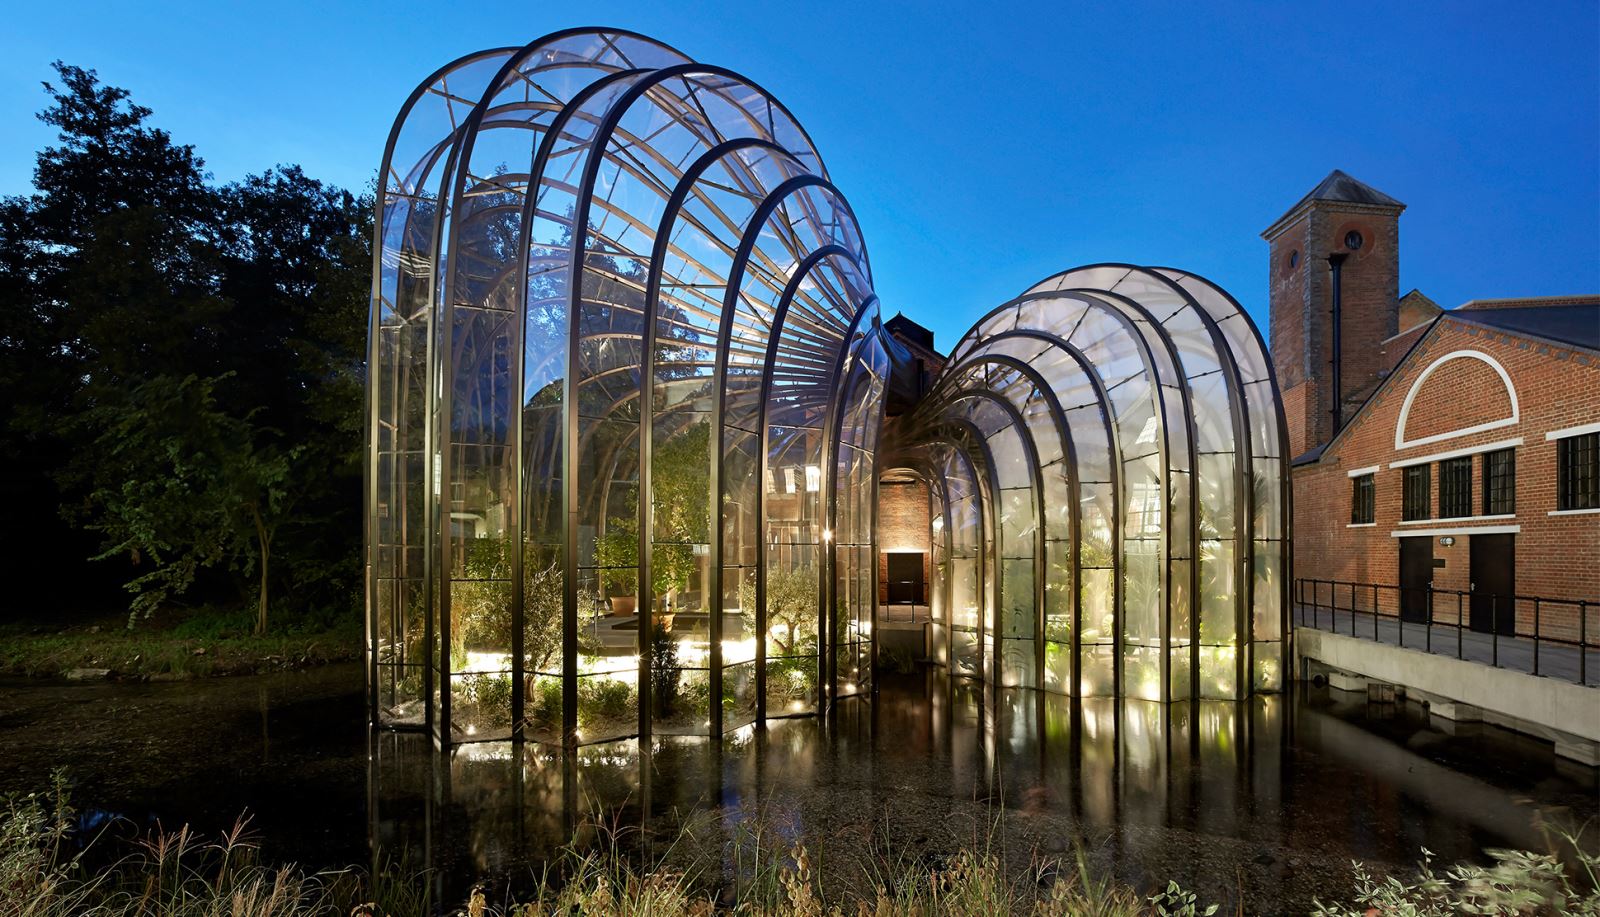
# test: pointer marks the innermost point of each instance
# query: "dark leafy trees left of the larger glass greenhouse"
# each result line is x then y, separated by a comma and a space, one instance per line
134, 287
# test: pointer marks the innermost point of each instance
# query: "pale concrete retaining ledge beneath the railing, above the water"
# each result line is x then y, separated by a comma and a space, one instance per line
1471, 689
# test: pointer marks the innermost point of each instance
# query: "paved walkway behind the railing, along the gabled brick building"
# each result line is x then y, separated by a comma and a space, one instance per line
1521, 654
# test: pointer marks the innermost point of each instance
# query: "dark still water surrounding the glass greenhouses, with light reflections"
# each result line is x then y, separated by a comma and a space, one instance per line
1263, 803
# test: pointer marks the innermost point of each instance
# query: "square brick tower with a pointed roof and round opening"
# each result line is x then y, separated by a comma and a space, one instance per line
1343, 234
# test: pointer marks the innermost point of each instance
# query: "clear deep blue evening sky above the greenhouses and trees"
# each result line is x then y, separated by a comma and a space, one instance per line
982, 146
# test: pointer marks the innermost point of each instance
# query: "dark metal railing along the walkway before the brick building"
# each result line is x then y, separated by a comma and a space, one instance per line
1513, 633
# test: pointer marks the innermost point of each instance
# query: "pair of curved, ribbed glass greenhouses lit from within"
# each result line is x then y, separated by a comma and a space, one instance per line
626, 425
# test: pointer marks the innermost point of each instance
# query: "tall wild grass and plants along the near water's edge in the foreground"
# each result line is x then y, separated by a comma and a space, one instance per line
46, 871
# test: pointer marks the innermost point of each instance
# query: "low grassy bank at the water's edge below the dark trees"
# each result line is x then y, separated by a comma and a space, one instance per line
172, 649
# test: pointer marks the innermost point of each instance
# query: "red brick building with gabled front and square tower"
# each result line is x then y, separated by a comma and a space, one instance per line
1455, 450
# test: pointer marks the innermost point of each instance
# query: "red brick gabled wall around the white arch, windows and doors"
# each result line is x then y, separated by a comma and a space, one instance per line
1558, 556
